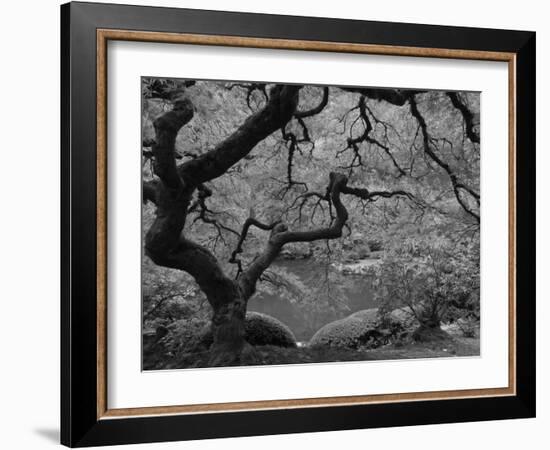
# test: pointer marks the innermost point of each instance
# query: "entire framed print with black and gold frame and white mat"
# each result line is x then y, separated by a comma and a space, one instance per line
276, 224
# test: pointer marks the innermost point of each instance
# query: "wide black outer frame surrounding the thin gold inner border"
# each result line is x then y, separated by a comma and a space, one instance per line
79, 424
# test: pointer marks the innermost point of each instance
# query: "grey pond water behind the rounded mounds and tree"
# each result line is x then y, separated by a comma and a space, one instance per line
354, 292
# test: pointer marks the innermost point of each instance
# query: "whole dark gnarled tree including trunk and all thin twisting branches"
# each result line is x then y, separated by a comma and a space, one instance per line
180, 190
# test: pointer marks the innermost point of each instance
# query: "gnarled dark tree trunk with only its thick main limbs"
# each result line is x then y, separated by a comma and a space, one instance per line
173, 191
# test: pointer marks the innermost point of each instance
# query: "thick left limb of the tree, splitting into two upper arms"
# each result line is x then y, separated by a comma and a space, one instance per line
165, 243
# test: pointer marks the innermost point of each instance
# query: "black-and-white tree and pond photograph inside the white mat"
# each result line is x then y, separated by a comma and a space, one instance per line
298, 224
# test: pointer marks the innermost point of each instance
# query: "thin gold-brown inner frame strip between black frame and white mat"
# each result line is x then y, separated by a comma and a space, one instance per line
104, 35
